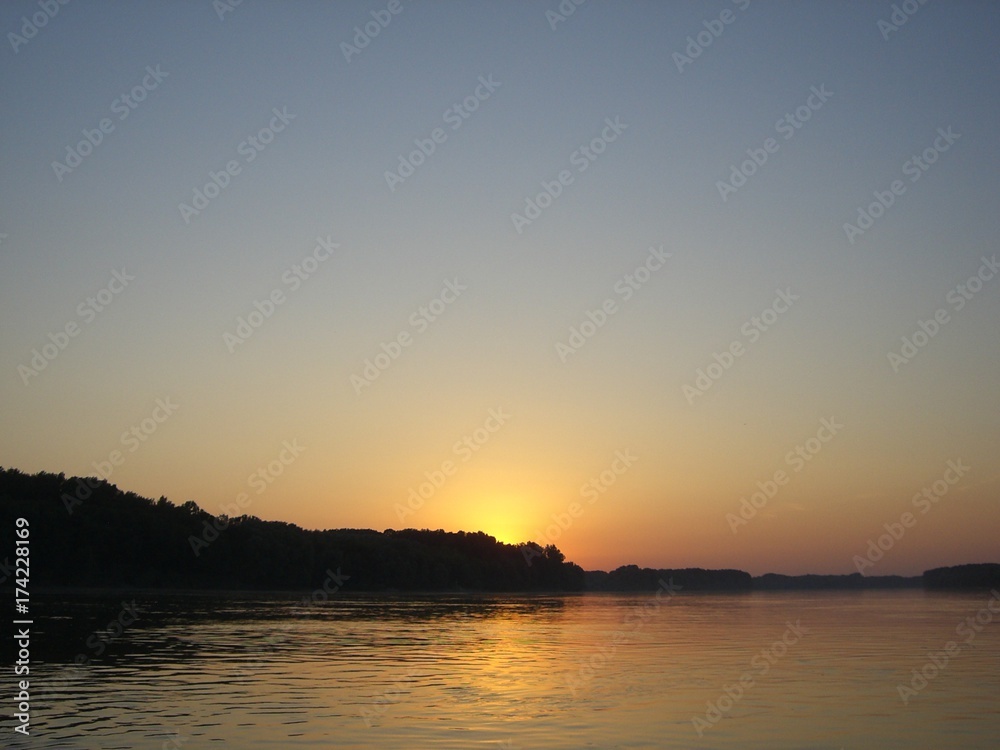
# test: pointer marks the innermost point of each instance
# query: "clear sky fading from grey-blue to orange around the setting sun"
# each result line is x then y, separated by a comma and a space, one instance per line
590, 275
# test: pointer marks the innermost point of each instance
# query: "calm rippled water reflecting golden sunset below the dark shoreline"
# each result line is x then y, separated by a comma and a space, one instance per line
601, 671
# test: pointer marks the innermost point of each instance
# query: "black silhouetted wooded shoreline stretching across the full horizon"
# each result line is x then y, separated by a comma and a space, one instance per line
86, 533
